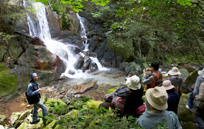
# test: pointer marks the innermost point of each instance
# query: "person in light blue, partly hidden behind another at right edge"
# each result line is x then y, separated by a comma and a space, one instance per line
195, 91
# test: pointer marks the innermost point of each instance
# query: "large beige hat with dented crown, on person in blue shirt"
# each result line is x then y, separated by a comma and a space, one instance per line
157, 98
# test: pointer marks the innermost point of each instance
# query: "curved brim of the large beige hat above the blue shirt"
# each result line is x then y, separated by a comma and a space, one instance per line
151, 102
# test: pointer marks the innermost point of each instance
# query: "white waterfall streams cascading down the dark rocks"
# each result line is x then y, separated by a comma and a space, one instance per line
40, 29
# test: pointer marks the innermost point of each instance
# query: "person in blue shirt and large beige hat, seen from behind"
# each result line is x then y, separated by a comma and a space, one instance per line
156, 114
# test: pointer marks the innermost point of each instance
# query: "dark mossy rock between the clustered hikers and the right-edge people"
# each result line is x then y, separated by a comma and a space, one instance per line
183, 113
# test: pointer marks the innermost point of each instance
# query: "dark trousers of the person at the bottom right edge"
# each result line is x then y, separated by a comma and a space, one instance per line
199, 118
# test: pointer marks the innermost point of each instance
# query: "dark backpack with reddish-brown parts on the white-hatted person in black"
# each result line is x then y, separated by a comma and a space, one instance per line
117, 98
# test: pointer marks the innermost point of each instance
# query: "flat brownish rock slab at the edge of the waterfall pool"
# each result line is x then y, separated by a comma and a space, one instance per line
81, 88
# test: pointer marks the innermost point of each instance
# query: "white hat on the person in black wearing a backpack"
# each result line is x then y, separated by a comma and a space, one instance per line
133, 82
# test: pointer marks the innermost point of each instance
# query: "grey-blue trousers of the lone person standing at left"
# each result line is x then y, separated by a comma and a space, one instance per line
35, 111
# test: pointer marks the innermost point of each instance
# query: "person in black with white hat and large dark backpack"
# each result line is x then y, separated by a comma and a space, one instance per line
126, 99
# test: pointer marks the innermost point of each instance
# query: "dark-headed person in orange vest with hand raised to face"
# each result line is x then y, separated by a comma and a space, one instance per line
156, 76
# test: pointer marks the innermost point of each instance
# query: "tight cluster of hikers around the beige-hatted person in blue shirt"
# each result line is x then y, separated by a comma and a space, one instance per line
161, 98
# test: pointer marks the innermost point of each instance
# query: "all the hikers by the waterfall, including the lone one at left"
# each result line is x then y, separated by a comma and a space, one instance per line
161, 101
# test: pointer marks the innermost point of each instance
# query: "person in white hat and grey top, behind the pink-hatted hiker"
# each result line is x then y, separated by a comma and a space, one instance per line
175, 79
